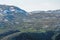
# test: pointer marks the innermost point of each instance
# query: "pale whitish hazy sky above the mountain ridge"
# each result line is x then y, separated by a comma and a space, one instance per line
33, 5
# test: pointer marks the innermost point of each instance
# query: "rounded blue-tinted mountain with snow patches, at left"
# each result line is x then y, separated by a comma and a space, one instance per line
10, 16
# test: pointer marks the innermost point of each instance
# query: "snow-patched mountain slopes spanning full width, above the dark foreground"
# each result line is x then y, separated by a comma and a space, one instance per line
14, 18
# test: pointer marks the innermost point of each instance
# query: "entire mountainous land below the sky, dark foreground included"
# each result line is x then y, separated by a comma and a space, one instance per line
16, 23
